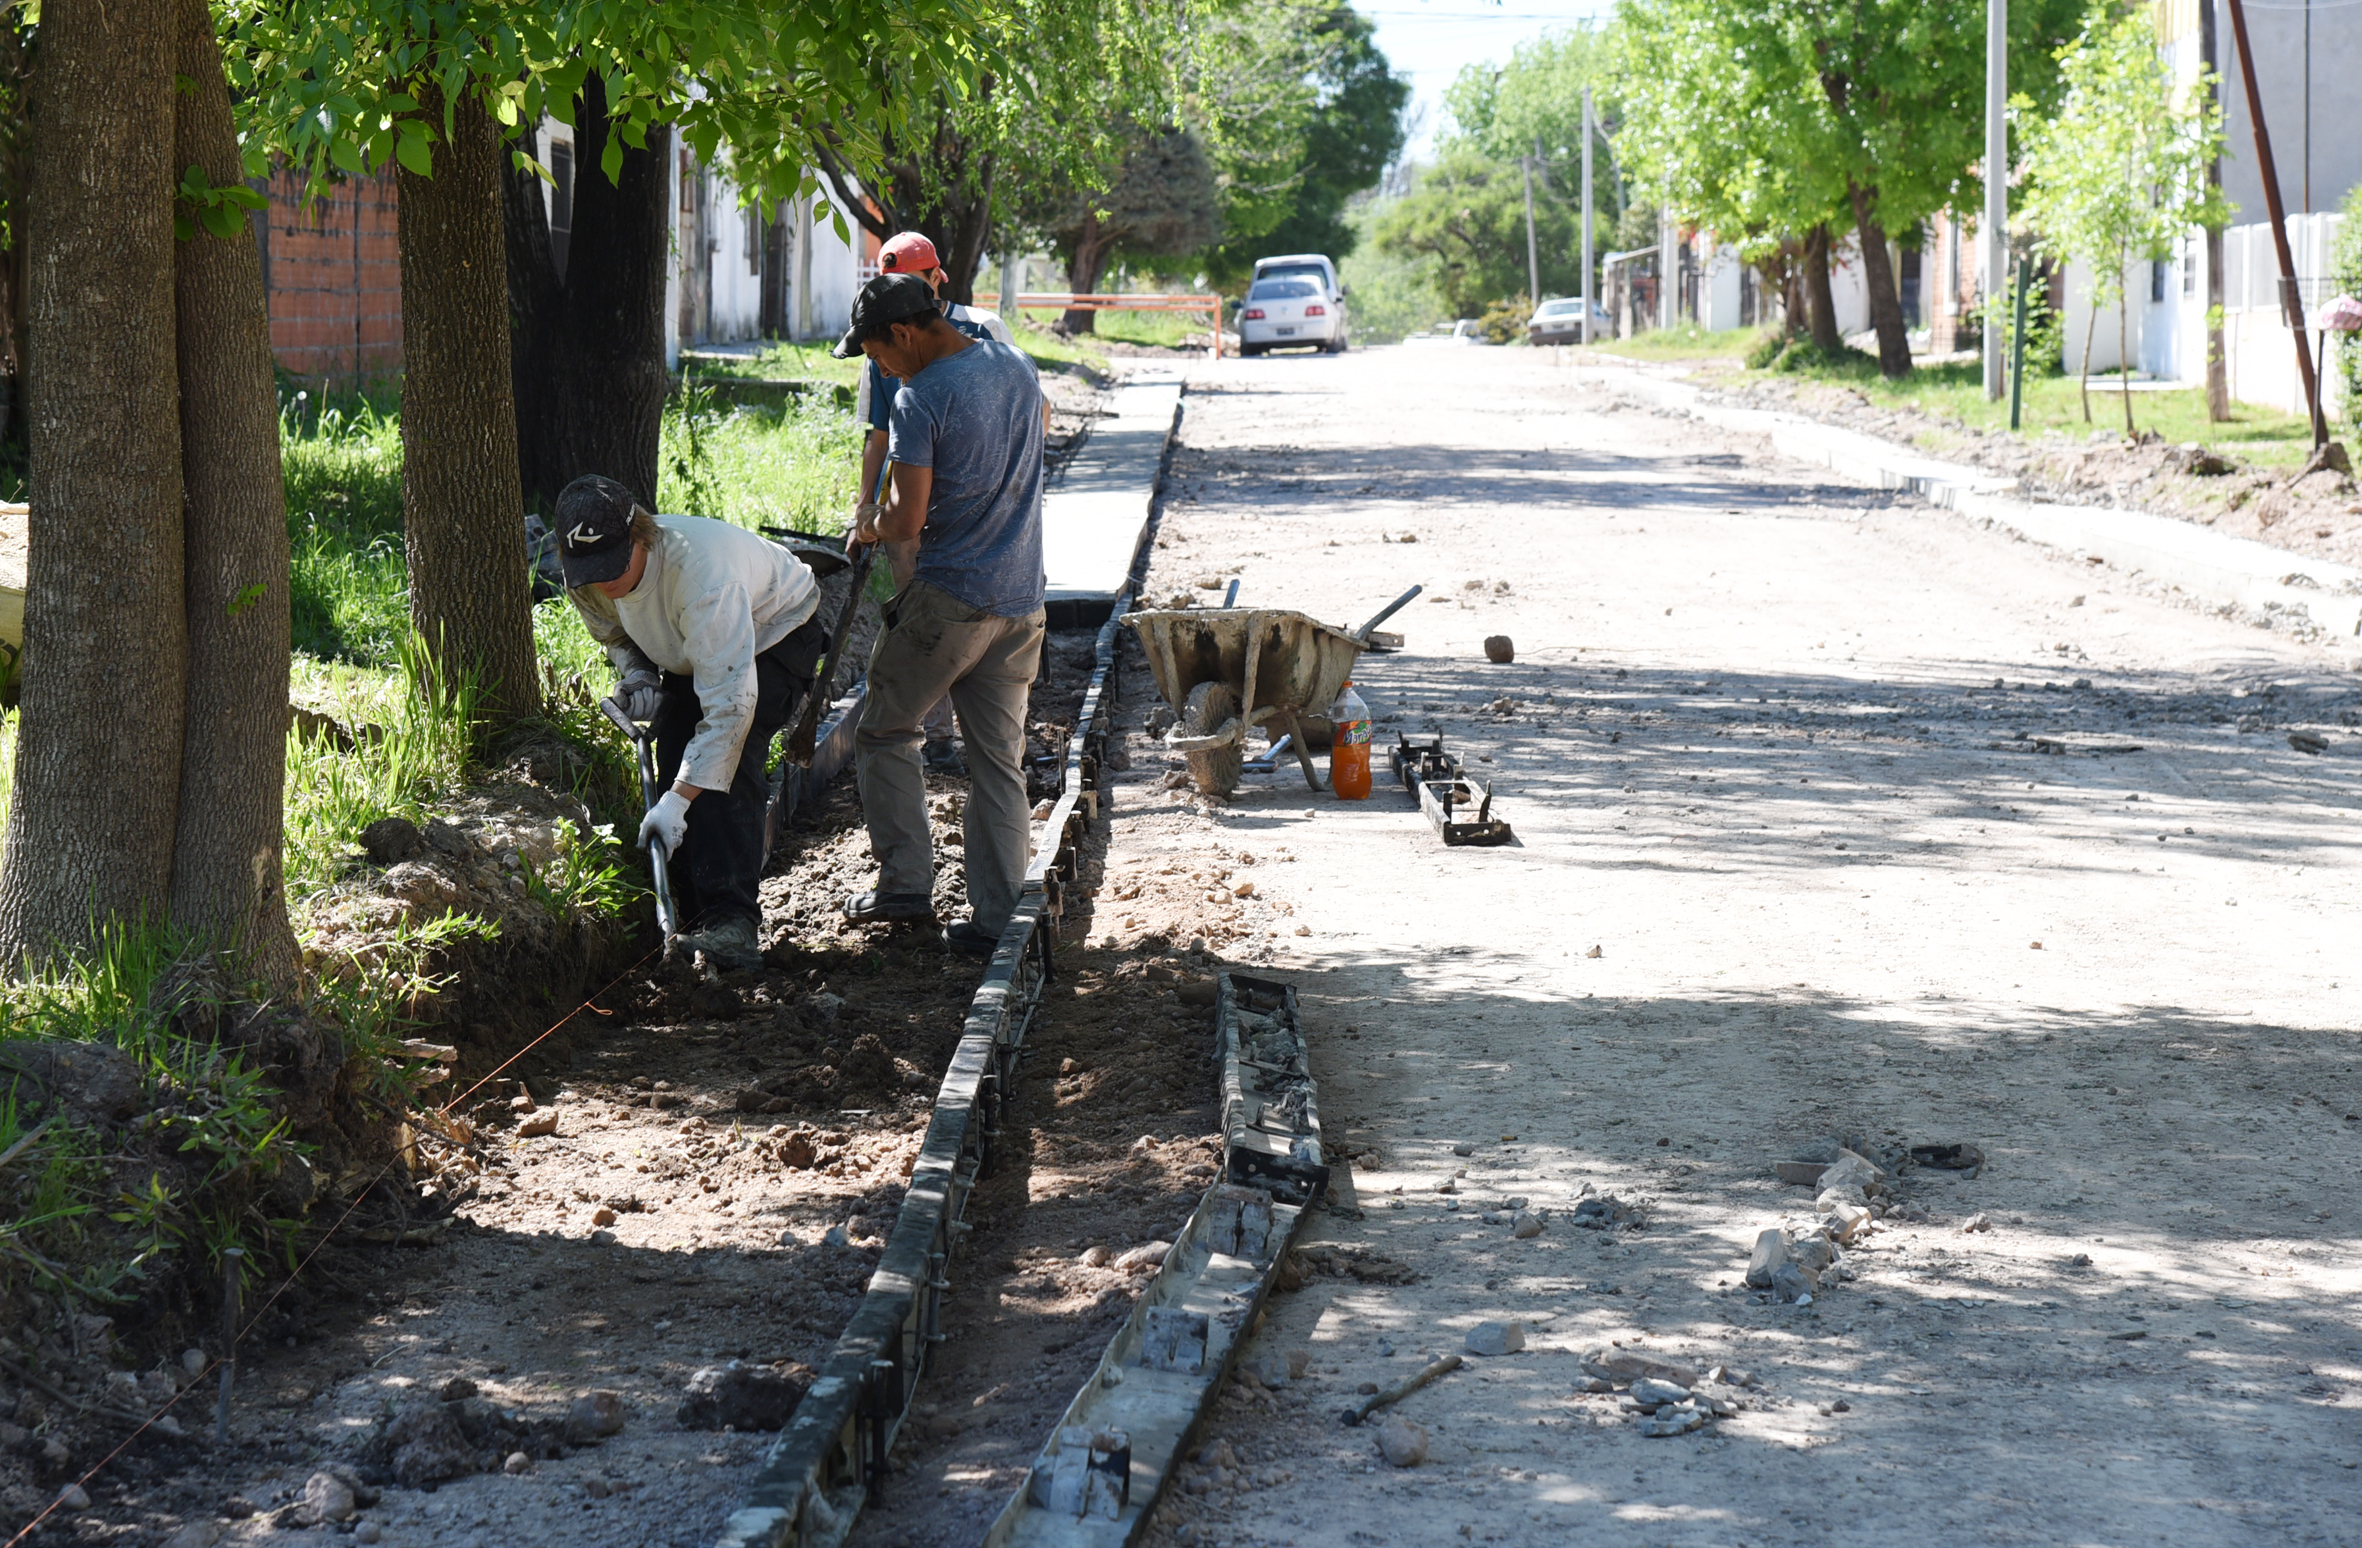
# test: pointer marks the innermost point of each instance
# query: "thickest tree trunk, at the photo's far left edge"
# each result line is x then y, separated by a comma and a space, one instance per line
107, 642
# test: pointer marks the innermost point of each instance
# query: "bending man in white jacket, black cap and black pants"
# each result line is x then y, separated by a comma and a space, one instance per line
715, 639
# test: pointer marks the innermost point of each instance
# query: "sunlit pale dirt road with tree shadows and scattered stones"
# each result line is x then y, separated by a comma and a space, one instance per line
1787, 869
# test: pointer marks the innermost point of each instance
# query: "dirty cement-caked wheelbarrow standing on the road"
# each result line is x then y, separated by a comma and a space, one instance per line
1232, 668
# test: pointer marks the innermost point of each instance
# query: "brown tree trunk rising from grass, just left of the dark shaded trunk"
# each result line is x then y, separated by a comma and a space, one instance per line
462, 507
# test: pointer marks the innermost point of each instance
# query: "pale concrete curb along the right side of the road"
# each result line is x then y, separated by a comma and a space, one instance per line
2210, 566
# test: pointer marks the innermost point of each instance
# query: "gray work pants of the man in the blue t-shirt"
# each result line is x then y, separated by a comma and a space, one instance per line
937, 644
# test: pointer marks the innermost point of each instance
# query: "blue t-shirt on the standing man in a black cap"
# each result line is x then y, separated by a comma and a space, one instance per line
977, 422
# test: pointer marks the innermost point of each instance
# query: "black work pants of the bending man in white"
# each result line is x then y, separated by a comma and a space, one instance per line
719, 873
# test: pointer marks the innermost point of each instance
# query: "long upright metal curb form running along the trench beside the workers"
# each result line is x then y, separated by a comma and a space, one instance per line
833, 1457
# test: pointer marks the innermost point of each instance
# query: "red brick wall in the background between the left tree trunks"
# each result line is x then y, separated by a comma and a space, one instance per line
334, 278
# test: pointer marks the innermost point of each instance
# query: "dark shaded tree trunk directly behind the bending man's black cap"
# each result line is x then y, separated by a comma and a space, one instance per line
589, 349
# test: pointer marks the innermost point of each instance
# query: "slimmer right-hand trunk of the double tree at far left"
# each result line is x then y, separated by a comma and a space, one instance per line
233, 776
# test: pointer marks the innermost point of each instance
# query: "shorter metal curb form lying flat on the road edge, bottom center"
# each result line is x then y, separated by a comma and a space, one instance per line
1114, 1450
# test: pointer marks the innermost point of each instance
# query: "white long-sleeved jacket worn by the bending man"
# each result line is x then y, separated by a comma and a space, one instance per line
715, 599
